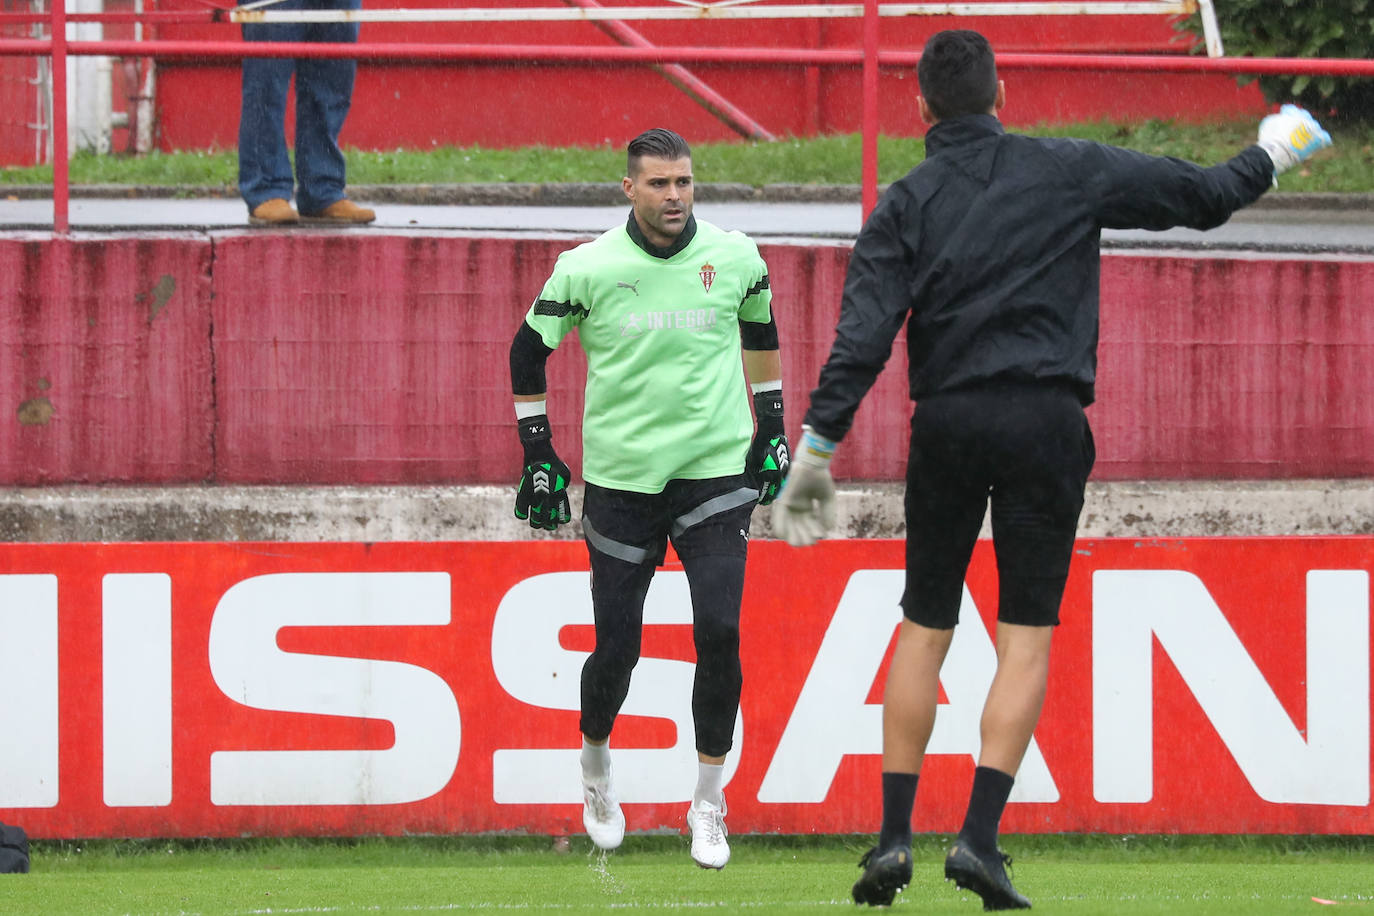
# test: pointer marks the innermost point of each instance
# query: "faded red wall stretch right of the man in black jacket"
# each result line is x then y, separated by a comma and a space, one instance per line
1236, 369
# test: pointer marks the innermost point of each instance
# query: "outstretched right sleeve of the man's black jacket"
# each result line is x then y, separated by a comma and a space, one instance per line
1137, 192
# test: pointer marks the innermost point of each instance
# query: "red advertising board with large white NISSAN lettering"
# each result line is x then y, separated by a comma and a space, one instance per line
215, 690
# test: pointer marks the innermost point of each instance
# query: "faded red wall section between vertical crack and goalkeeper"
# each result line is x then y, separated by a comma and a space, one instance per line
365, 359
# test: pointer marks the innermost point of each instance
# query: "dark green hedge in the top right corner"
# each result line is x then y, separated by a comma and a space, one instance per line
1302, 30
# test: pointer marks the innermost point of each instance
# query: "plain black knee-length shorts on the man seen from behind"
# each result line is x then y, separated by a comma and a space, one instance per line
1027, 448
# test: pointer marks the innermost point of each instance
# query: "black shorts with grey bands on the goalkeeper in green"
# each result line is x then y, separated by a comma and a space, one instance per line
710, 516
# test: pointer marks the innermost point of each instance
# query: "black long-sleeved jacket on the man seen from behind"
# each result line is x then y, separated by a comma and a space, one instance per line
993, 248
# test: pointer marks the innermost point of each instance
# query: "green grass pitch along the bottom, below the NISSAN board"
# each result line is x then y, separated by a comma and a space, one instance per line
655, 874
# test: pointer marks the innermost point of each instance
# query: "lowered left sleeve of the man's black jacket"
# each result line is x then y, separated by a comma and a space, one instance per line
877, 299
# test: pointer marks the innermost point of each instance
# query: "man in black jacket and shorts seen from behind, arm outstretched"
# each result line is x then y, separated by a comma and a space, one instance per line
990, 252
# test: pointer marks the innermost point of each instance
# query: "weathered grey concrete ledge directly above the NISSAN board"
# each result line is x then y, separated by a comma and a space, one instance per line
374, 514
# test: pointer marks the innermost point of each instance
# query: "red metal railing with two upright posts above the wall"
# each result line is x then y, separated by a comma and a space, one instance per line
869, 57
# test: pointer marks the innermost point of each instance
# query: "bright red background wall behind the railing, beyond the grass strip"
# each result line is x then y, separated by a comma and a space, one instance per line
561, 105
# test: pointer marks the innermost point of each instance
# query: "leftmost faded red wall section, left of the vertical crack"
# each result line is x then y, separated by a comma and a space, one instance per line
106, 362
